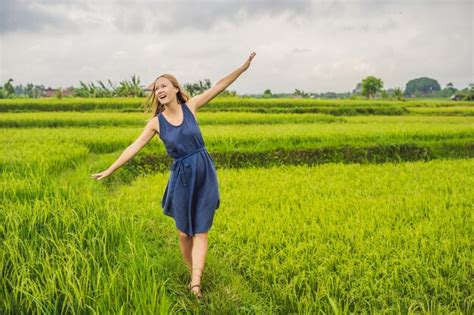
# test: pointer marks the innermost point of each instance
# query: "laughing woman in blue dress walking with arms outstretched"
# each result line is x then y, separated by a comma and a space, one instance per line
191, 195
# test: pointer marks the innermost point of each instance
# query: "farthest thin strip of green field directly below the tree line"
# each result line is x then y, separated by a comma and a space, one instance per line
239, 104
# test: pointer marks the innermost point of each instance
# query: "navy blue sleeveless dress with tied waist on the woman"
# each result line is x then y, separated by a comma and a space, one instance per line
191, 195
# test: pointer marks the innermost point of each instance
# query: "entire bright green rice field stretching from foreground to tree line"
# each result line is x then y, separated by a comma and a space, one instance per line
326, 207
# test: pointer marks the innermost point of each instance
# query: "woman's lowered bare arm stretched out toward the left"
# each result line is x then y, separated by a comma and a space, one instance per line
150, 130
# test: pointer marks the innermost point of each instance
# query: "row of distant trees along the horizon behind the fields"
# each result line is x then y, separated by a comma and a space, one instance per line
370, 87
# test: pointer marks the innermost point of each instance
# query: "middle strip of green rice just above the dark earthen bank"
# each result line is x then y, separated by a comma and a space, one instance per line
261, 137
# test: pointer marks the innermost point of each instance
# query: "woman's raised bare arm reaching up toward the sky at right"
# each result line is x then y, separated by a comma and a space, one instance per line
204, 98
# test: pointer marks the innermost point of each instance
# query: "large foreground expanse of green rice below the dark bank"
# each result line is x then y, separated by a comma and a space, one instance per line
356, 238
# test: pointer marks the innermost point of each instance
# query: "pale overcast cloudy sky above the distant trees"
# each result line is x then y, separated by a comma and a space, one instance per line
314, 45
